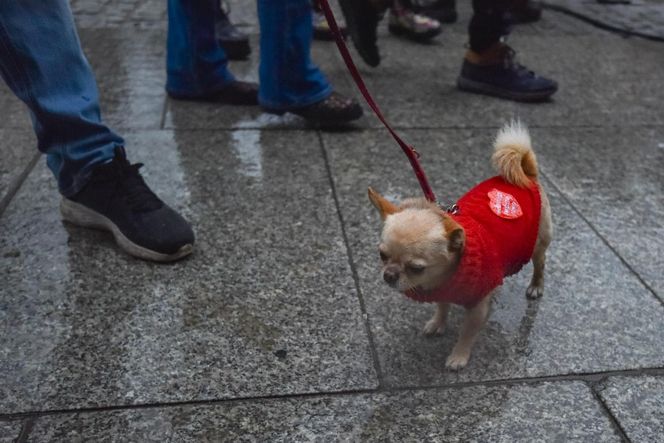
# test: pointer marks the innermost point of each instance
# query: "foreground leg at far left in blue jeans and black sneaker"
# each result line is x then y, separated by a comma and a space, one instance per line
42, 62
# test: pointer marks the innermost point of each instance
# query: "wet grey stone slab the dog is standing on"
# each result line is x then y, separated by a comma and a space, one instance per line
595, 315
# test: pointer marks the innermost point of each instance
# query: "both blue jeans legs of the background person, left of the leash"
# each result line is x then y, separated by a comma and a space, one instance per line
197, 65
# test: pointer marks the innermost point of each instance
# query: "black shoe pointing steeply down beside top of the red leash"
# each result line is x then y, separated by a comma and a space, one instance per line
362, 20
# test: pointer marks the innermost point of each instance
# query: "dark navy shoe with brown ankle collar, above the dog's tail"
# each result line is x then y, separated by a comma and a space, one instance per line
507, 79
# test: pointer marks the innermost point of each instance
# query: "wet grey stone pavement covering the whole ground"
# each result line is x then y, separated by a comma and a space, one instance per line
278, 328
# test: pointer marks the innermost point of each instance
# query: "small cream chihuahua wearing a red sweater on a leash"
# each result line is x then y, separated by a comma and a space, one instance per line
460, 256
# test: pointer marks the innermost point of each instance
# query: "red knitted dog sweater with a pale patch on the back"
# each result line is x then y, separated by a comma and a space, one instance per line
501, 222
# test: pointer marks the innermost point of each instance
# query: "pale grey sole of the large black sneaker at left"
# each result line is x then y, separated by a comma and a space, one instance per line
80, 215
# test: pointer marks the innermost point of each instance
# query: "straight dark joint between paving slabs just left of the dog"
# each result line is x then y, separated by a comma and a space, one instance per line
351, 264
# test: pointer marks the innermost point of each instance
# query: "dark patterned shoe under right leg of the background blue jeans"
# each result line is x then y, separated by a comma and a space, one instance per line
335, 110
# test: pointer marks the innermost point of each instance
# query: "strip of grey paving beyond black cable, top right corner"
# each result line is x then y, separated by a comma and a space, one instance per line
643, 17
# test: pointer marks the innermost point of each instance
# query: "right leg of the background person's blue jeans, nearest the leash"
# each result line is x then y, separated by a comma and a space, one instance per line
288, 77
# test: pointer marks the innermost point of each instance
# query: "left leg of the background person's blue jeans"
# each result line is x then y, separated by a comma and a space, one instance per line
196, 64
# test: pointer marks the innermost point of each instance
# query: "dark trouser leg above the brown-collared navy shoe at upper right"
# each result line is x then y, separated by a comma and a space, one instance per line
490, 22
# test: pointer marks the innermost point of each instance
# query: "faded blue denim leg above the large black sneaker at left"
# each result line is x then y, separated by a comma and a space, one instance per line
43, 64
